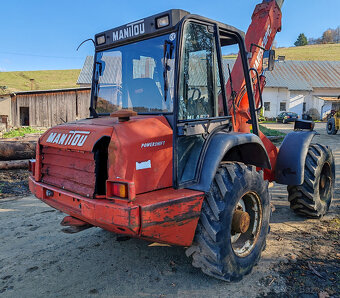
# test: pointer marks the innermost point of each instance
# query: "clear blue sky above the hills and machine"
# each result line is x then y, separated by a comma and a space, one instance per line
44, 34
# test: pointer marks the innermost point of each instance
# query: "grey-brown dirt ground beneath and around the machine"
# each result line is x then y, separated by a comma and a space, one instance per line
37, 259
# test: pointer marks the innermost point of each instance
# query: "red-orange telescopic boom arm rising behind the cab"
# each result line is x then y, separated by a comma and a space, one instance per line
266, 22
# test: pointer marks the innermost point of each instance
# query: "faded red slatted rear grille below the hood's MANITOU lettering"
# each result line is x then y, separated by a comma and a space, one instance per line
69, 170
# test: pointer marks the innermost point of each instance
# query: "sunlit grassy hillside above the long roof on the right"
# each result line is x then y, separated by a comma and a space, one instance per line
311, 52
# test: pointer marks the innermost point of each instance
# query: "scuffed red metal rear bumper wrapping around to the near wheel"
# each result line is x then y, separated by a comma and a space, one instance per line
167, 215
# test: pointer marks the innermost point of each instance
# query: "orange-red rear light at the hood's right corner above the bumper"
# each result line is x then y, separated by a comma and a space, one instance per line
120, 189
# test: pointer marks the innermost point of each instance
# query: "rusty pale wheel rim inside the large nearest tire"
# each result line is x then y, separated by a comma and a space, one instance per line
244, 243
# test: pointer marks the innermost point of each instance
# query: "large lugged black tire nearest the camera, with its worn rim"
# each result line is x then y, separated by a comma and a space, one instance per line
212, 251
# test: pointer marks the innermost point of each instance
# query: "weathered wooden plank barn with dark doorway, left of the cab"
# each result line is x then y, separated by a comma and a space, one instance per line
47, 108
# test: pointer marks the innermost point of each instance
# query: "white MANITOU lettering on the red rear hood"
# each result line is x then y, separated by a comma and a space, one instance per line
73, 138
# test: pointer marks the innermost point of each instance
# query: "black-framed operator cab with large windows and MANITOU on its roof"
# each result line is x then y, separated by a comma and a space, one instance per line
171, 64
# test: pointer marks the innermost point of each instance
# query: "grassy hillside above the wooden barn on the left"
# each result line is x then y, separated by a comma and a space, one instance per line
43, 80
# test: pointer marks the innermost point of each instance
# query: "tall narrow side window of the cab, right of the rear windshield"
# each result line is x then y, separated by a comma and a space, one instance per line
198, 83
